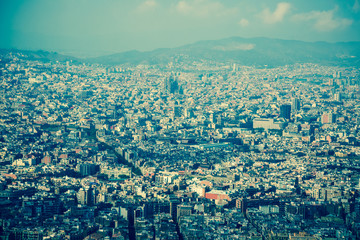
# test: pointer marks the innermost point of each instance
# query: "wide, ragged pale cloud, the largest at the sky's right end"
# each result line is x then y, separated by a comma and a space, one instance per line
323, 21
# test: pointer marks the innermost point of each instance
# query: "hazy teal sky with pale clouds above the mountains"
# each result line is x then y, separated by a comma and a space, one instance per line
108, 26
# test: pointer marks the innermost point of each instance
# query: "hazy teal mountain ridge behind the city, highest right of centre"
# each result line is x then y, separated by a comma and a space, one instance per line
251, 51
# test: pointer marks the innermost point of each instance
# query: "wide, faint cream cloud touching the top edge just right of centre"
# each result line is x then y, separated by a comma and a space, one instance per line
203, 8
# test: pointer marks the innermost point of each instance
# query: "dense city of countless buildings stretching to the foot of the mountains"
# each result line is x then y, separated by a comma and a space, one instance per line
190, 150
